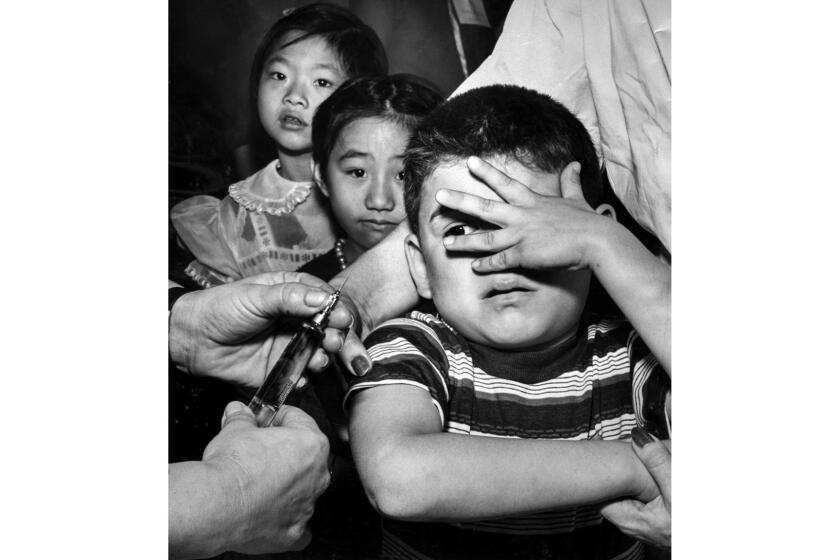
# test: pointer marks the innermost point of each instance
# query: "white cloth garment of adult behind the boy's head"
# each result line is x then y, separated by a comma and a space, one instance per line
609, 62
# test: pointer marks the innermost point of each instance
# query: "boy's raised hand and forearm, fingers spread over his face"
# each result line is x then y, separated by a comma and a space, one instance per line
538, 231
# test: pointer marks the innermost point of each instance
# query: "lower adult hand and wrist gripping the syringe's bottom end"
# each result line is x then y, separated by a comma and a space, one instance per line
254, 489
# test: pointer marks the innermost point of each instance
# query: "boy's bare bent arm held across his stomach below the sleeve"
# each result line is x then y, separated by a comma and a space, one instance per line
413, 471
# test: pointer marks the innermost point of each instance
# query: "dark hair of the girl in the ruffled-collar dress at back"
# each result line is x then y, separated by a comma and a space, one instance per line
356, 44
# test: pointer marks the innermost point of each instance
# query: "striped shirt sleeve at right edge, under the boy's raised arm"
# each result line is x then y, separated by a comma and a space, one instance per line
651, 388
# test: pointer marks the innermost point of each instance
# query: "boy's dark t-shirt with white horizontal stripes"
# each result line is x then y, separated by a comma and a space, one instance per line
598, 385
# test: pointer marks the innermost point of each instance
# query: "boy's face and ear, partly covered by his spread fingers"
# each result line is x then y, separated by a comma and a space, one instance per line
516, 309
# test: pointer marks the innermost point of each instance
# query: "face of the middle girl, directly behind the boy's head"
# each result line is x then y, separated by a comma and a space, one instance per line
365, 180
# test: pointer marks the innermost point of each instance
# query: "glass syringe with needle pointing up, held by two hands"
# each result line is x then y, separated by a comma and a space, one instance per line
287, 371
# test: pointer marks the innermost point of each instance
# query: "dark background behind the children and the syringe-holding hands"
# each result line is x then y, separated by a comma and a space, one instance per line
213, 143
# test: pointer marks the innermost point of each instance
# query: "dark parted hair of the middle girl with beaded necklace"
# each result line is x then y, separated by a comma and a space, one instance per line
401, 98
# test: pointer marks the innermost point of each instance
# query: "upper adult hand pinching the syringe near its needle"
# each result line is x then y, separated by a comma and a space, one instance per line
236, 332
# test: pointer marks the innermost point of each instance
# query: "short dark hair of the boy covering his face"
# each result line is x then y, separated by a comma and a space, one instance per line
500, 120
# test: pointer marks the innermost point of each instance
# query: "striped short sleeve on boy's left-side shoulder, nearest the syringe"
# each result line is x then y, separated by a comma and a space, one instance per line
406, 351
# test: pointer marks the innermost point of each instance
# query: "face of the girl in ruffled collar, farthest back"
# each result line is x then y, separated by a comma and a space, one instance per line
294, 82
